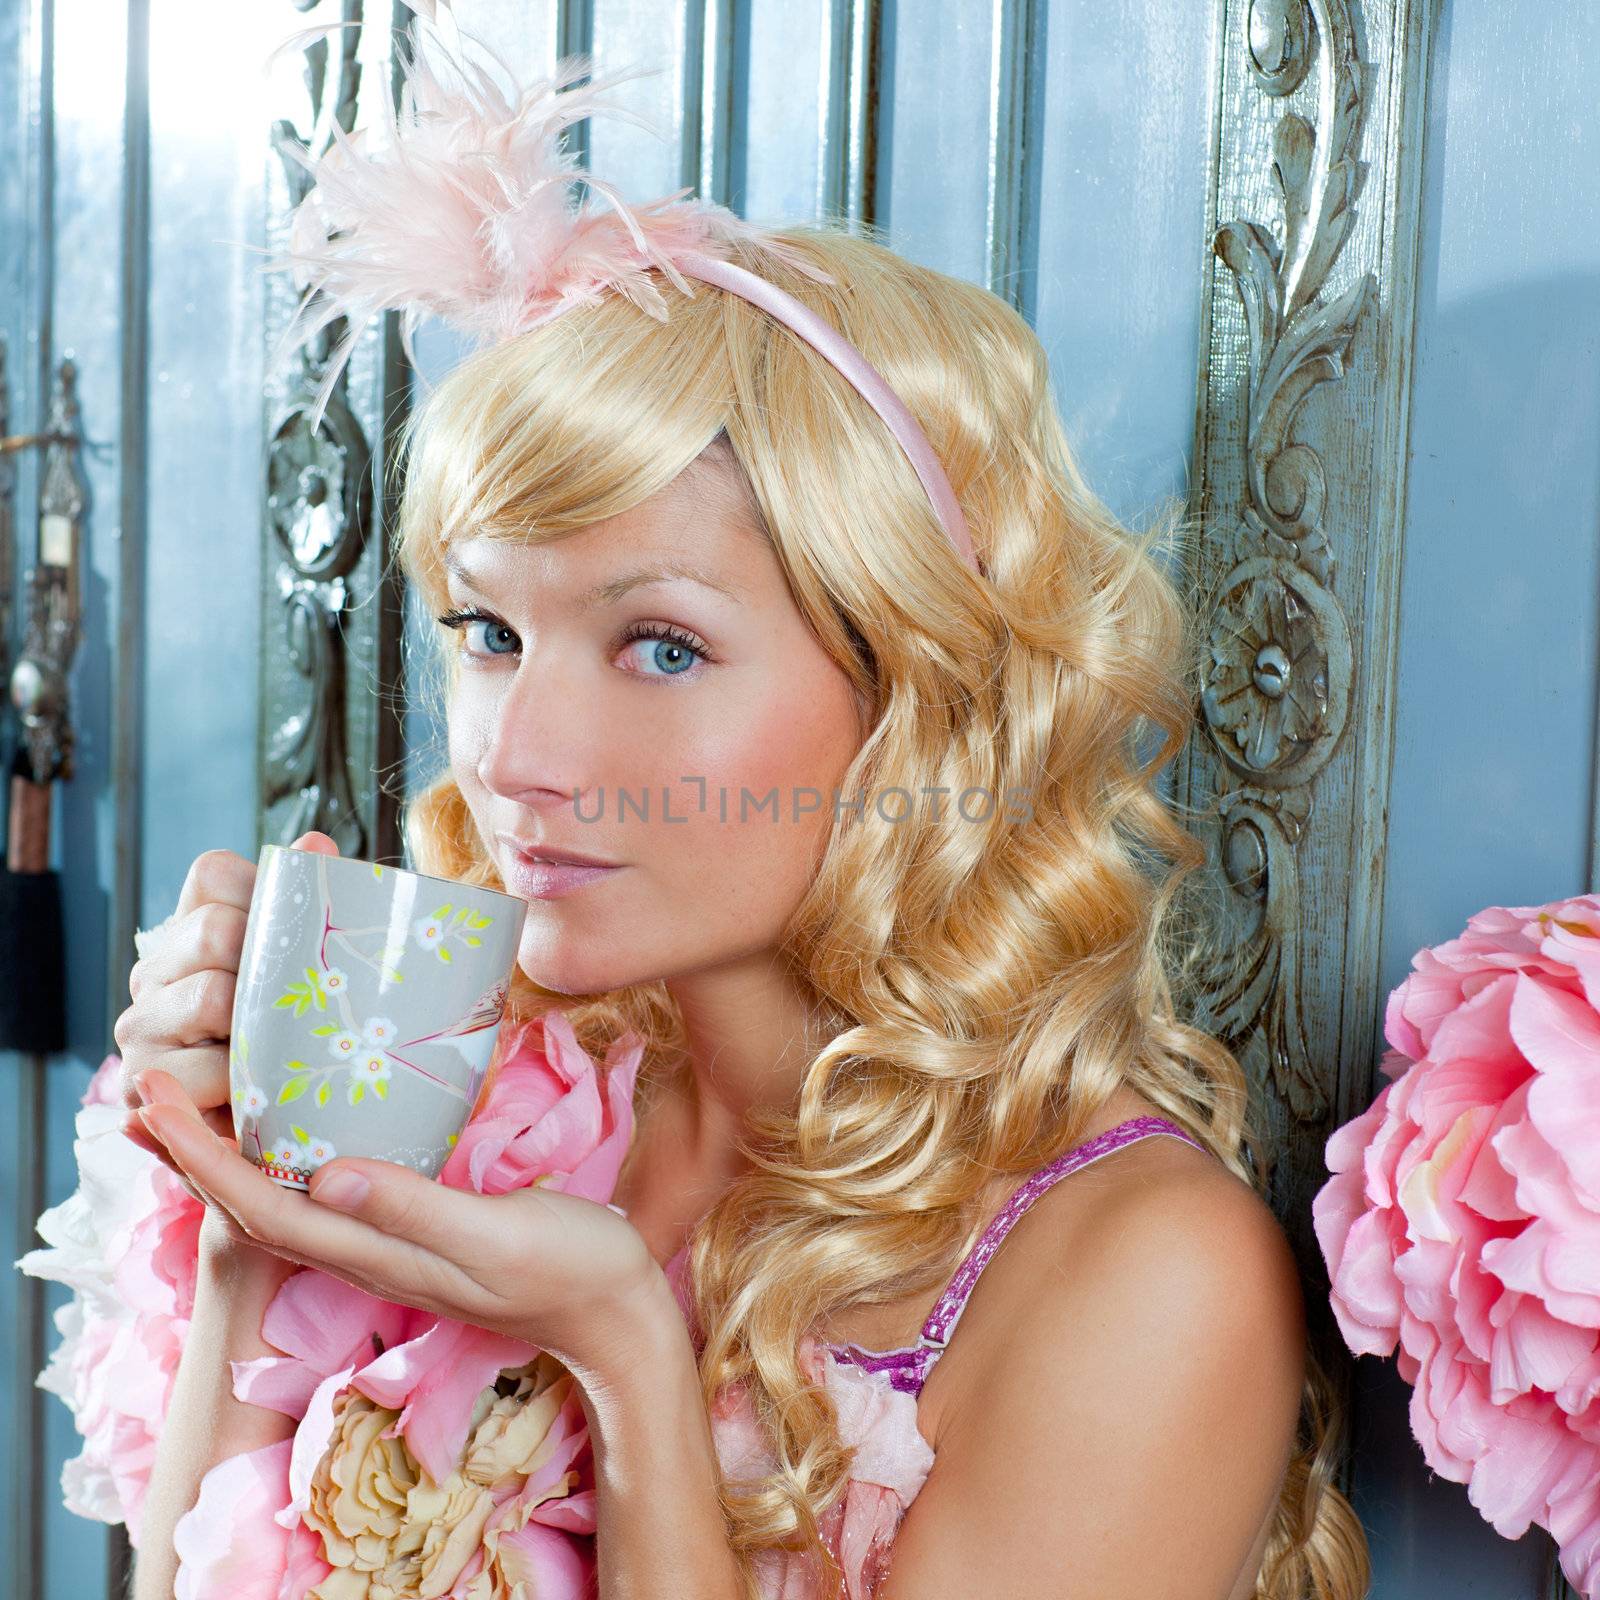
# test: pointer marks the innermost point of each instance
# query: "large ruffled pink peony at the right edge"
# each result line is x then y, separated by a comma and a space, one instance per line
1462, 1223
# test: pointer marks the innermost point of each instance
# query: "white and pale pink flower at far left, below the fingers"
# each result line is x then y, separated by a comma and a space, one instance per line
126, 1242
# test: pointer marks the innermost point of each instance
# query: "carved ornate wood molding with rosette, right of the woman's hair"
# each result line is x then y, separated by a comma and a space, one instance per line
1300, 489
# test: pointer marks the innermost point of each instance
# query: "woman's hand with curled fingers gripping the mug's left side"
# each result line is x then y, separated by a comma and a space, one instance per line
183, 994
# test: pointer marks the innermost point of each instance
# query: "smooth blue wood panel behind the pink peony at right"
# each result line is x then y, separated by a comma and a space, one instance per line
1495, 710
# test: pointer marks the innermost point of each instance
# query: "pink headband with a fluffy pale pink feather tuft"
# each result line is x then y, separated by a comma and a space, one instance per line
466, 214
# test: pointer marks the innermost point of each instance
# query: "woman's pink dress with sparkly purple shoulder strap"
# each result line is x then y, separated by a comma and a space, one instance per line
876, 1398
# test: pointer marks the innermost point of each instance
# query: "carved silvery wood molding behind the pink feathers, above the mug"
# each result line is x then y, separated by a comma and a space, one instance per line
330, 734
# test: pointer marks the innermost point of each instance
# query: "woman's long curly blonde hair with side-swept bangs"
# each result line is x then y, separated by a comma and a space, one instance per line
986, 988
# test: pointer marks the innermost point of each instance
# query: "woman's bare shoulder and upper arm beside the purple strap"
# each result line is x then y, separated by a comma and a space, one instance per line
1134, 1404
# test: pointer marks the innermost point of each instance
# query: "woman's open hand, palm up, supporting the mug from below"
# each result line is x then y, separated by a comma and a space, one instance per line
561, 1273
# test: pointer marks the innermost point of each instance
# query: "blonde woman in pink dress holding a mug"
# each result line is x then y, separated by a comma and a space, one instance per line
889, 903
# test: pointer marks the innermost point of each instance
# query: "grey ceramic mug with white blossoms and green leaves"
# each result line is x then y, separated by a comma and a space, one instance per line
367, 1010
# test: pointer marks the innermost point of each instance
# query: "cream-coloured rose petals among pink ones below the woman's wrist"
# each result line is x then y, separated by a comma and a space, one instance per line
393, 1534
